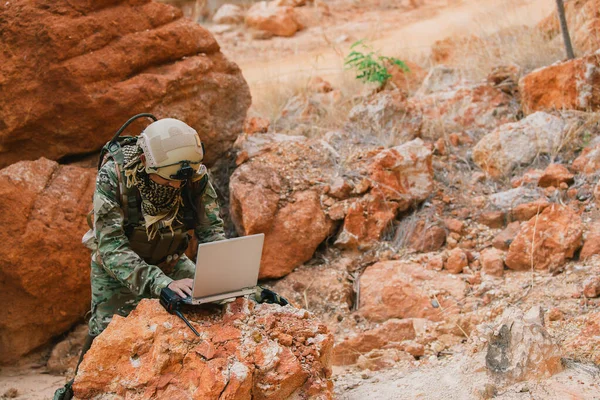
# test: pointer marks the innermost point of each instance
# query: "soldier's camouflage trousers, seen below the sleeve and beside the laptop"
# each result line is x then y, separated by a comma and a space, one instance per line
110, 297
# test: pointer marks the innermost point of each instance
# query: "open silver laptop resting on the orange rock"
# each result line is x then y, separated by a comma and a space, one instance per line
226, 269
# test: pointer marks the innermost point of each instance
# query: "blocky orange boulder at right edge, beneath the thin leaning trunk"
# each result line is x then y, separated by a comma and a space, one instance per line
571, 85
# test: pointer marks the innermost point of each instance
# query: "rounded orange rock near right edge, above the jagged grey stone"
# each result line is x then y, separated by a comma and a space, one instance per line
546, 241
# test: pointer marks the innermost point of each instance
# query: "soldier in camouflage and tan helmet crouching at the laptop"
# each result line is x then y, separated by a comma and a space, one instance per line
150, 191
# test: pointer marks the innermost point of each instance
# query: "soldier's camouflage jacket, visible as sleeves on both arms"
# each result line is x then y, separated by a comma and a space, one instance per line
110, 244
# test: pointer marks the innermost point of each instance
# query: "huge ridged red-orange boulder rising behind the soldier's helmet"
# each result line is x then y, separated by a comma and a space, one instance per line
73, 72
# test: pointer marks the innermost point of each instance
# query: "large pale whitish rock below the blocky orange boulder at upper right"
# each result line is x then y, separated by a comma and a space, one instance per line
514, 144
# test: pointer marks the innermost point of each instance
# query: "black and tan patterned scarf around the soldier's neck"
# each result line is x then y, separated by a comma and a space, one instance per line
160, 203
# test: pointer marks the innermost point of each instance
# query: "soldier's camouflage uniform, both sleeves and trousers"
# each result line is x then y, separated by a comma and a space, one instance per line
121, 278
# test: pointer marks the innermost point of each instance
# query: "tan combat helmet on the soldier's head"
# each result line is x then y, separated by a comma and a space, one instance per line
173, 149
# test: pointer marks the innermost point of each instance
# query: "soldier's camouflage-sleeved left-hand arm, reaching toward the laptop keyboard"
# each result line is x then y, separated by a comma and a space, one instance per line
118, 259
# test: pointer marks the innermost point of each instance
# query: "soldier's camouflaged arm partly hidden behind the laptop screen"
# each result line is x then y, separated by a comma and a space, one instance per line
210, 225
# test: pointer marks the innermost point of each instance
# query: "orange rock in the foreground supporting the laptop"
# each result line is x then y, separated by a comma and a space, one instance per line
241, 353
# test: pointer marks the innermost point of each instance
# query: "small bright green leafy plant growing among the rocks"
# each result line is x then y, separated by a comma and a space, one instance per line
370, 66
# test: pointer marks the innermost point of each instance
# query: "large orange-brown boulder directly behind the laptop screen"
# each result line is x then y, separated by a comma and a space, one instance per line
292, 232
